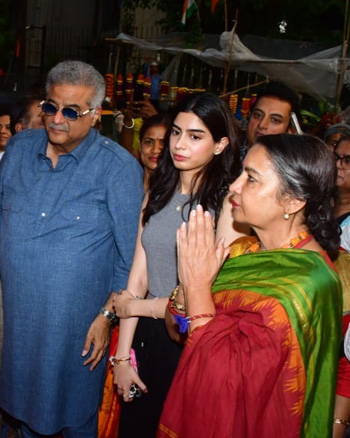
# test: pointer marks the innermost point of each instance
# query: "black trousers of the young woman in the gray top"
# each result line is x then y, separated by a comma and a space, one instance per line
157, 356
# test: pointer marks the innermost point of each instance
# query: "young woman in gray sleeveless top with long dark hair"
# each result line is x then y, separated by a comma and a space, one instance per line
199, 160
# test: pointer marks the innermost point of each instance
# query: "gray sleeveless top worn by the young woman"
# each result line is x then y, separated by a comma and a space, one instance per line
159, 242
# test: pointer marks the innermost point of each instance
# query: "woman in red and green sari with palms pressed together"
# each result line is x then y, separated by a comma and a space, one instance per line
261, 358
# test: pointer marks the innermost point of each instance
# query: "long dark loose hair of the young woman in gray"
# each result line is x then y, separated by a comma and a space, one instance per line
213, 180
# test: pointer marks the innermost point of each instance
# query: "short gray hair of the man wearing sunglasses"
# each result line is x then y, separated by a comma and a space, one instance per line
78, 73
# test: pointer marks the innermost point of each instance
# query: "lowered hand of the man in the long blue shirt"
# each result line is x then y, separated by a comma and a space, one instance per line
98, 336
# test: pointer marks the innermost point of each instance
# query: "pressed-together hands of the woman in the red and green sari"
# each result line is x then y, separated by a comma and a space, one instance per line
199, 260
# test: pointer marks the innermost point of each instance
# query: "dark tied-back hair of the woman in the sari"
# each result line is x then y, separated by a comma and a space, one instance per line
307, 171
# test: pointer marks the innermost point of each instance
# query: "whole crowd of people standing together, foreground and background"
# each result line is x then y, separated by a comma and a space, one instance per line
216, 281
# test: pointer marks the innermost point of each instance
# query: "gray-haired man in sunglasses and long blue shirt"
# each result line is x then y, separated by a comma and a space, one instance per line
70, 202
